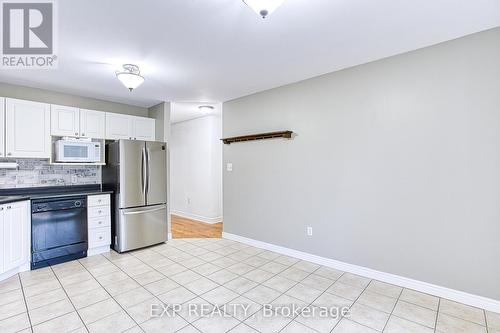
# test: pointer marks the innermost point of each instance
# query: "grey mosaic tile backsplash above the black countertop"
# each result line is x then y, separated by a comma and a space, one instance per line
36, 172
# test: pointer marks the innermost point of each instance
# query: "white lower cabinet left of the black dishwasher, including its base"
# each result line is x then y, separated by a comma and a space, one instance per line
15, 229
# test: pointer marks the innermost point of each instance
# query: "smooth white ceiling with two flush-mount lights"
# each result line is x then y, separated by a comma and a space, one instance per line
217, 50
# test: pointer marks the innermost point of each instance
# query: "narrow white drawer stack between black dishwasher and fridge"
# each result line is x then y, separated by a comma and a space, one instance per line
99, 223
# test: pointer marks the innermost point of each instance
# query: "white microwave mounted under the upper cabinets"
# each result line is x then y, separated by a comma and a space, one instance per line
77, 151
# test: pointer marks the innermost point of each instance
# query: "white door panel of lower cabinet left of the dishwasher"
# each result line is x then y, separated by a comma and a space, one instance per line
16, 235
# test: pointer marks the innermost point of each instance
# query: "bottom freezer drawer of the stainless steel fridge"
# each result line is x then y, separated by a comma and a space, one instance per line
140, 227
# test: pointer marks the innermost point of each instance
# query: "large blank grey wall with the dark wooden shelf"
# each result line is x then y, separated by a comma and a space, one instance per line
396, 165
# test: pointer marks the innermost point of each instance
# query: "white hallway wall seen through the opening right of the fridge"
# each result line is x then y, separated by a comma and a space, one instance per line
195, 168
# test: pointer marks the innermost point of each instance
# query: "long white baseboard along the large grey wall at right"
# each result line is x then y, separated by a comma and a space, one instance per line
454, 295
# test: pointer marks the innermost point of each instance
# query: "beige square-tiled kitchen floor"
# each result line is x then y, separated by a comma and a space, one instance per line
114, 293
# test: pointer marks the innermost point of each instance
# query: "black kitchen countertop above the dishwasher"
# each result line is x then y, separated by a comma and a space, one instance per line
33, 193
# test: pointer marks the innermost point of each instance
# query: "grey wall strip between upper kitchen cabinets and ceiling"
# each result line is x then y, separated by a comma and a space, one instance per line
47, 96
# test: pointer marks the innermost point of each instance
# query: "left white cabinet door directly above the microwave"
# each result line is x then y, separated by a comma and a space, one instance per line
64, 120
